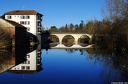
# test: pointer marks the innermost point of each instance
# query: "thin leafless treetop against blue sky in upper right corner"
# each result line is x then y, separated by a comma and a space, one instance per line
115, 9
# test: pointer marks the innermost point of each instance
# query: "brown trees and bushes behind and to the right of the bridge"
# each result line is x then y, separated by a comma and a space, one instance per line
110, 33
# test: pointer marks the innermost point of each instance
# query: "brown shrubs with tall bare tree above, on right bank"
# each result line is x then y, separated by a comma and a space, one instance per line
112, 31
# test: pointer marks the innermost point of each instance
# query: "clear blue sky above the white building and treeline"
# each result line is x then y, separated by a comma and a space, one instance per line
58, 12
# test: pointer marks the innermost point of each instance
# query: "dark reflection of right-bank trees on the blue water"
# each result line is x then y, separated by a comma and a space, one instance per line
115, 66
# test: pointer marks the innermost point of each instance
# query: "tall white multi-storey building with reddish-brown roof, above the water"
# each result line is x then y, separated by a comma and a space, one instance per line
31, 19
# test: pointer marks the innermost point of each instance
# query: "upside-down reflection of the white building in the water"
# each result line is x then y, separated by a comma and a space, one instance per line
31, 65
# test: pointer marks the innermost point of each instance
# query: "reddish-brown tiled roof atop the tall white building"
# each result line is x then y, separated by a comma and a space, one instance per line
22, 12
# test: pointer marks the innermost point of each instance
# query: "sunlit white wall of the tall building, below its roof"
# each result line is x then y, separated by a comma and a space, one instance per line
34, 23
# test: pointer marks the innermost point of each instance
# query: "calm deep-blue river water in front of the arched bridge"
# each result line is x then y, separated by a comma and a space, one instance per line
72, 66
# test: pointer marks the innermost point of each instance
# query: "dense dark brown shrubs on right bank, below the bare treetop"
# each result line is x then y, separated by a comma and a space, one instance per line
112, 36
